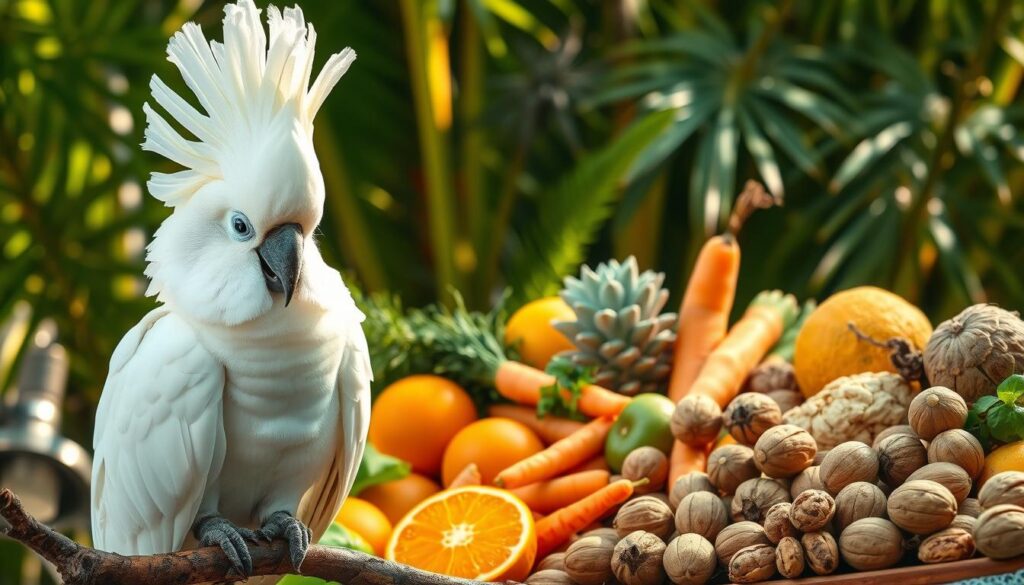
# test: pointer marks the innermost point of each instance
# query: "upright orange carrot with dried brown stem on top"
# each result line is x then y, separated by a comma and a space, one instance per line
704, 316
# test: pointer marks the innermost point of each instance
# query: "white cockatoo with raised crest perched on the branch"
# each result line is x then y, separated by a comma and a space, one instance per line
239, 408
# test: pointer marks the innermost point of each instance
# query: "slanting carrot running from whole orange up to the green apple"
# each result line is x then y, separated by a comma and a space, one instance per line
563, 456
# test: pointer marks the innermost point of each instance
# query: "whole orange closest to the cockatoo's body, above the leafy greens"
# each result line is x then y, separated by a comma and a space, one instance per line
415, 419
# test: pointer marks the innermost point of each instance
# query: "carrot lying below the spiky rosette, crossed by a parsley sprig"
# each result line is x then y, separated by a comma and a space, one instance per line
522, 384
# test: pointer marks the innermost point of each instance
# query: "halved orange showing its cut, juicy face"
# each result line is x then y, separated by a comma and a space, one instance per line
476, 532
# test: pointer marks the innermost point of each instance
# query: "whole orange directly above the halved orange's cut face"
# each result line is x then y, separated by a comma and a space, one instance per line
493, 444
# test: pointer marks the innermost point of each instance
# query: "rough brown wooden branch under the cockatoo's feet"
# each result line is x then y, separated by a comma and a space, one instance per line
83, 566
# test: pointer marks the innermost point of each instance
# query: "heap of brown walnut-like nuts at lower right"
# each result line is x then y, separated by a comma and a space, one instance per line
773, 507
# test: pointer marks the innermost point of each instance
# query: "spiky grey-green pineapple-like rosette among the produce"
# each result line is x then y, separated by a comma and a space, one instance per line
619, 326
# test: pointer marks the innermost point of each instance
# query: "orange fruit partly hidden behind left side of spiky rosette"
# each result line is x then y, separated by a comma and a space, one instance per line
531, 331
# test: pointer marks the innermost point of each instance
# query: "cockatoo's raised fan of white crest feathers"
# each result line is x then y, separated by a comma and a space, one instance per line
244, 85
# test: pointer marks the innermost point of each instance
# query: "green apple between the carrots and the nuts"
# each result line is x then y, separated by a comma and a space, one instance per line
644, 423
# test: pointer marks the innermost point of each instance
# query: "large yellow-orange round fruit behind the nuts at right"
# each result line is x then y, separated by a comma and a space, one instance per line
827, 349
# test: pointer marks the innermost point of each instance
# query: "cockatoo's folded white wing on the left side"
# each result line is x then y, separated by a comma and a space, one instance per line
159, 439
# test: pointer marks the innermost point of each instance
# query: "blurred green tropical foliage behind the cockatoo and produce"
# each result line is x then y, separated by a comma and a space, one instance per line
484, 145
